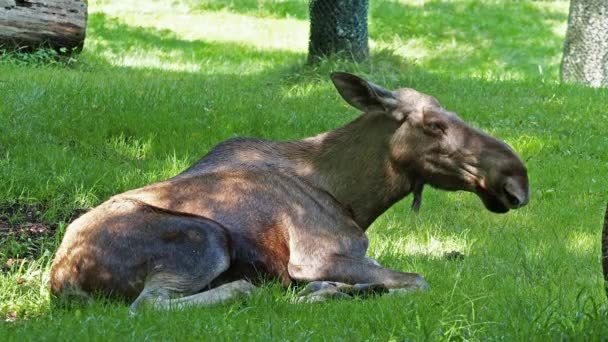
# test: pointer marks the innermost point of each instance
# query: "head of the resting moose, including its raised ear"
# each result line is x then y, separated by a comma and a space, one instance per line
437, 148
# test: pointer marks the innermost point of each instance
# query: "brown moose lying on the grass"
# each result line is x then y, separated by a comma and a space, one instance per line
296, 211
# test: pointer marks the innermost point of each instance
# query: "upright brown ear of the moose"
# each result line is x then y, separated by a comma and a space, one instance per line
363, 95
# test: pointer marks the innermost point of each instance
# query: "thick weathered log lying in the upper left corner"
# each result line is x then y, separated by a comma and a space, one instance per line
27, 25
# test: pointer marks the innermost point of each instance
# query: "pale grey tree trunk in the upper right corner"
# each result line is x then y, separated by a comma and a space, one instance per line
585, 57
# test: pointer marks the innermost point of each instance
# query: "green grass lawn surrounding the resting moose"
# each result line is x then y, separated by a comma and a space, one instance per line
160, 82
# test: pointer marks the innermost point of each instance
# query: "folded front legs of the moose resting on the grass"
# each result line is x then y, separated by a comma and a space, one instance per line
338, 276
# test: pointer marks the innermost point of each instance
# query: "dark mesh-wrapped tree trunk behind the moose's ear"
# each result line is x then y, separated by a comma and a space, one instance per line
338, 27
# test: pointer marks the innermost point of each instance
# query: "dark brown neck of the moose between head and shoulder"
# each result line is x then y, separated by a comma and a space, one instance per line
352, 163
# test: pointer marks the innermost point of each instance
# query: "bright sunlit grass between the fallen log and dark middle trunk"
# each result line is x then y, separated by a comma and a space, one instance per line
138, 34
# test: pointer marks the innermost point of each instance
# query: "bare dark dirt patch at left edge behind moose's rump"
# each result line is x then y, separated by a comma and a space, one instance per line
24, 234
